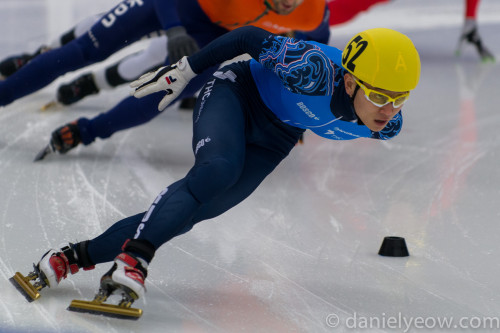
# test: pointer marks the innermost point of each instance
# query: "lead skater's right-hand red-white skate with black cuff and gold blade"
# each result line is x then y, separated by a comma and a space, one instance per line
126, 277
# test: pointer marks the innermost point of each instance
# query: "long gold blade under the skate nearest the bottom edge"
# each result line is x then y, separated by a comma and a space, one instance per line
108, 310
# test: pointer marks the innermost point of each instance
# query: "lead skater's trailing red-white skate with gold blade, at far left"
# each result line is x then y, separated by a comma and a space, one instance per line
54, 267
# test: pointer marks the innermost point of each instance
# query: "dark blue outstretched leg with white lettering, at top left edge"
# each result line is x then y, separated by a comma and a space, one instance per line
102, 40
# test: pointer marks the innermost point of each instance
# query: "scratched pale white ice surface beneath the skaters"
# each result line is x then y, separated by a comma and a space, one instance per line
300, 255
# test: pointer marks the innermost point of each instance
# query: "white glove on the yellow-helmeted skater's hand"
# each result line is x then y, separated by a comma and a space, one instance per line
173, 79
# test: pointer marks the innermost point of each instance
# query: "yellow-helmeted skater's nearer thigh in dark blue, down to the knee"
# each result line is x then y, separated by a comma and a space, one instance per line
218, 141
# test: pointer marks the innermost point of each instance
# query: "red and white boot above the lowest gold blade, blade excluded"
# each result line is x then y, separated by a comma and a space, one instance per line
128, 275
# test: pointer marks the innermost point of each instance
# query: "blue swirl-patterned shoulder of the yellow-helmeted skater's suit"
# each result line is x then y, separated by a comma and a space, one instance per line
303, 68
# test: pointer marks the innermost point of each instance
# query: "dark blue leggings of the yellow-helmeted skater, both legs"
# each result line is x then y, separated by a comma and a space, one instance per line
237, 142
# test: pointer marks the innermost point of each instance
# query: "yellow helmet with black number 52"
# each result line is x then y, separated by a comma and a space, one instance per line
383, 58
